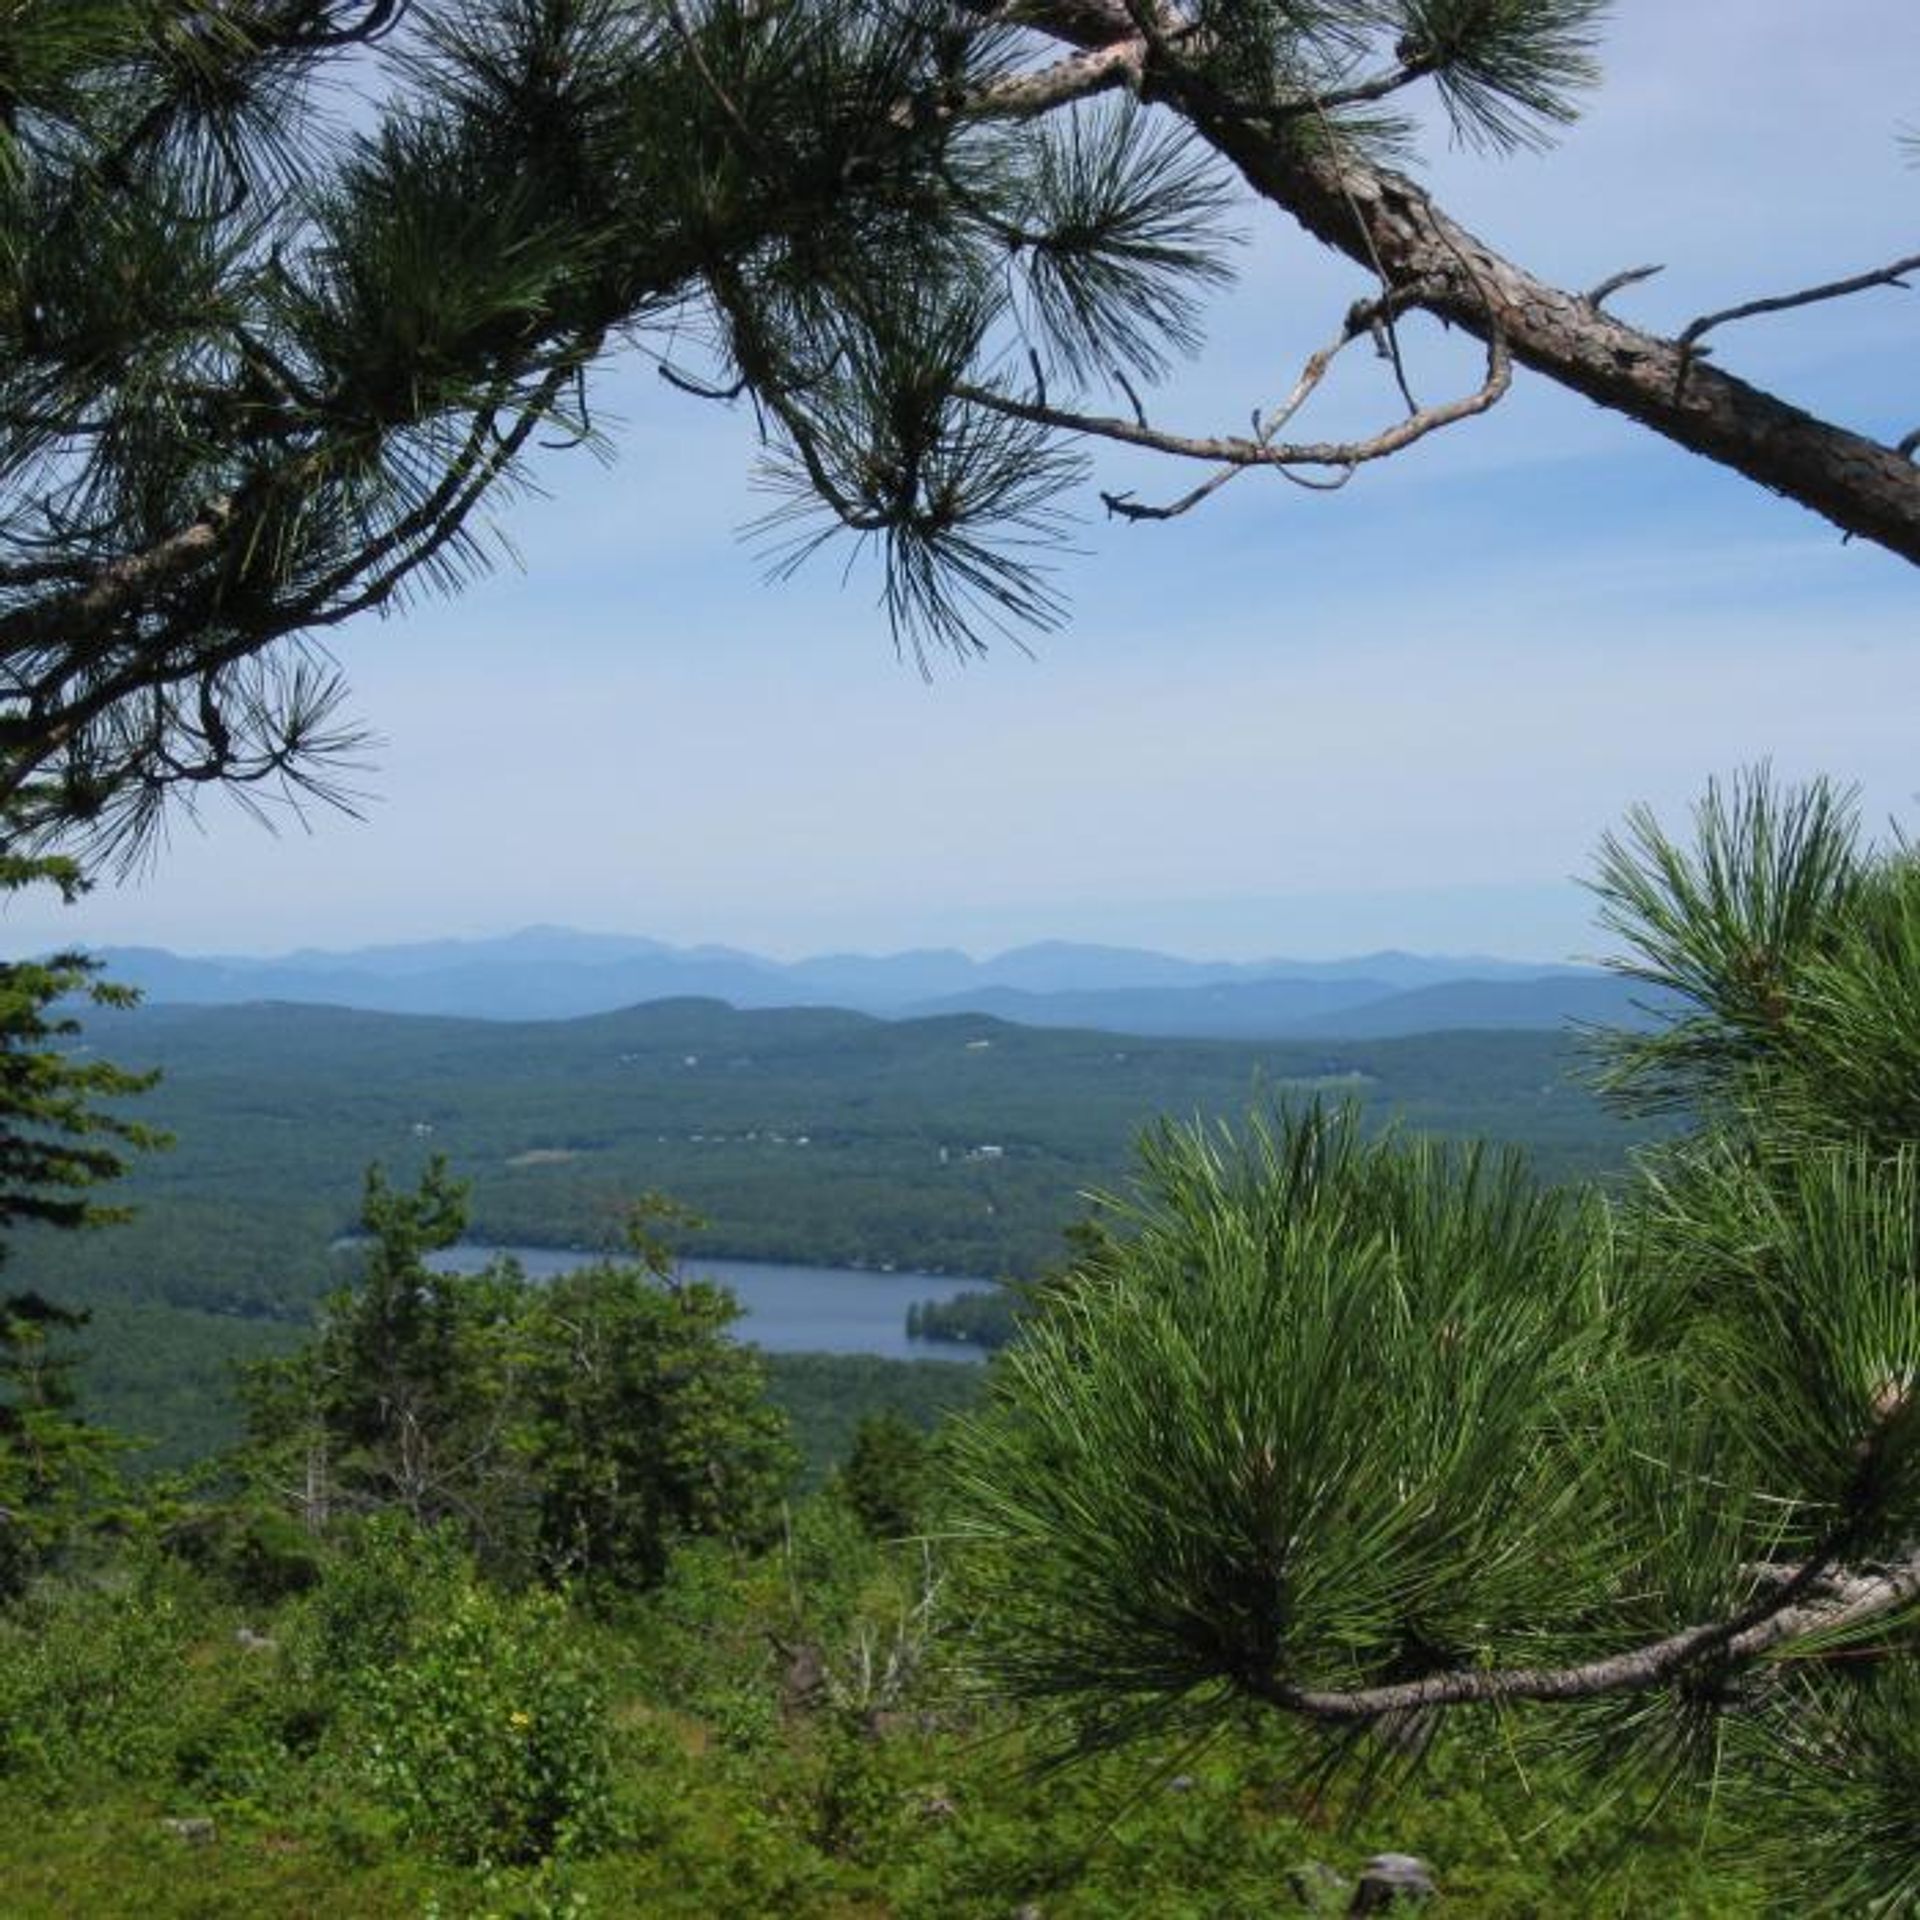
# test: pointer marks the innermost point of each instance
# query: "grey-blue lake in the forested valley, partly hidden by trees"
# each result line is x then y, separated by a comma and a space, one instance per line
788, 1310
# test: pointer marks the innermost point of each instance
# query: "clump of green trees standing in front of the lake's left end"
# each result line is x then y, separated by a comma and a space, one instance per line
577, 1431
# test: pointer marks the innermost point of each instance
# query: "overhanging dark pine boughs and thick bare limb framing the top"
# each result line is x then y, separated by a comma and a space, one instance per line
293, 289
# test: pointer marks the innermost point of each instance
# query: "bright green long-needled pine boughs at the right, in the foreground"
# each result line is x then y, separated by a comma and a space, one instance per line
1381, 1437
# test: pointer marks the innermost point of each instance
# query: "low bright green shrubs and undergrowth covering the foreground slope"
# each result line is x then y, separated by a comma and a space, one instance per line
729, 1787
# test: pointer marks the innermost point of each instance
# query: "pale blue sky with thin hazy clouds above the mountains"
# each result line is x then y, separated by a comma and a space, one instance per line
1401, 715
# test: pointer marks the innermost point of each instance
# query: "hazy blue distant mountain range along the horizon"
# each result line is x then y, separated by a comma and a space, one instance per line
562, 974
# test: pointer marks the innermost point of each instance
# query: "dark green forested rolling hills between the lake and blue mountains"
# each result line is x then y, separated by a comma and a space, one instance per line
957, 1143
